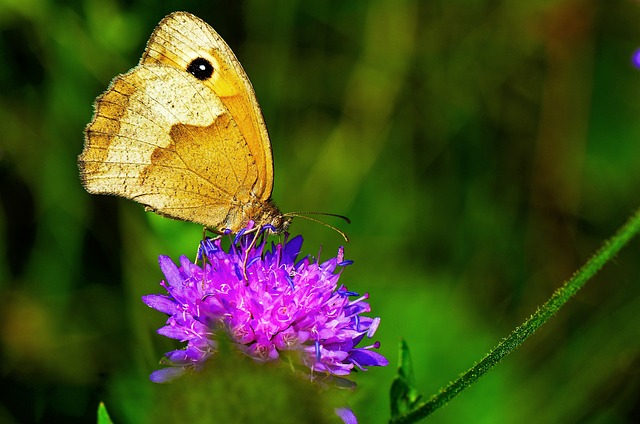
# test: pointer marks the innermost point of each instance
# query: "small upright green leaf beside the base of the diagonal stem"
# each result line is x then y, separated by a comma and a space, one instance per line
404, 395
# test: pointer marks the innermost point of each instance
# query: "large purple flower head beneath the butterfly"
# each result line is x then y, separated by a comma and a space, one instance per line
268, 304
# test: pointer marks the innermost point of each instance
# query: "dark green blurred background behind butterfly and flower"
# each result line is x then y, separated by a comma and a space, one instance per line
482, 149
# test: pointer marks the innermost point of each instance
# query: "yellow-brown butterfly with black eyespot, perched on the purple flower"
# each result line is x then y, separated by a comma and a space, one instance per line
183, 134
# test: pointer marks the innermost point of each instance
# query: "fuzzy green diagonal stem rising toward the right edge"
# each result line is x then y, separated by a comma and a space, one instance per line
606, 252
